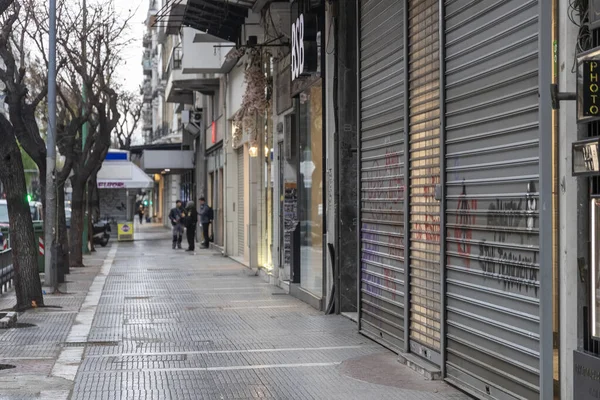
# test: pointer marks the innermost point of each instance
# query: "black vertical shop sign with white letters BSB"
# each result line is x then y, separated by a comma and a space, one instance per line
305, 53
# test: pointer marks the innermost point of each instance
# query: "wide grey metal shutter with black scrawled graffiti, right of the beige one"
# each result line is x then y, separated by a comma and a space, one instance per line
492, 198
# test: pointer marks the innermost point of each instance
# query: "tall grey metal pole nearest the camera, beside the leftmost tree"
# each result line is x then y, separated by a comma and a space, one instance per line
50, 217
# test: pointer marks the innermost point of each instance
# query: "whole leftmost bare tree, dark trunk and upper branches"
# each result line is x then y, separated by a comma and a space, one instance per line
28, 287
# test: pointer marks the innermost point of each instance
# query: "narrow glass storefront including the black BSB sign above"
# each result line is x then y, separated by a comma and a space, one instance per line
307, 89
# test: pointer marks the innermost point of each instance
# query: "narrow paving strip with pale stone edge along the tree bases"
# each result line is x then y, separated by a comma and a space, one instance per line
37, 343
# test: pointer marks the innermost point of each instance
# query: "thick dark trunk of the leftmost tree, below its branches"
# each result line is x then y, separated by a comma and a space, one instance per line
28, 287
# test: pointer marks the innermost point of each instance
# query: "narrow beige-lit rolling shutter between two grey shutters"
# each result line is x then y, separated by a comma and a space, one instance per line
424, 134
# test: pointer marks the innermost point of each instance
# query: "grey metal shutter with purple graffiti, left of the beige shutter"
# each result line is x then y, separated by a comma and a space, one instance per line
382, 171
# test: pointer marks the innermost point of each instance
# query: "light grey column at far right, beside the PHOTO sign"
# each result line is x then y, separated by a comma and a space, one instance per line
572, 202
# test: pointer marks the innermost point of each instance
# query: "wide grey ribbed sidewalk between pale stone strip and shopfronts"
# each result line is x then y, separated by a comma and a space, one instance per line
174, 325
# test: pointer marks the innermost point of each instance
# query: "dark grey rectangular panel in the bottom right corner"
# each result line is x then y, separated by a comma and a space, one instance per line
586, 376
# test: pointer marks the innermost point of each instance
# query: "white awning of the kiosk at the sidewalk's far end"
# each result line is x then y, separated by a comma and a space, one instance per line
123, 175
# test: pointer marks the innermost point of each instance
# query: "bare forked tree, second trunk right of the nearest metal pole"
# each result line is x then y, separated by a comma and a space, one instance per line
93, 54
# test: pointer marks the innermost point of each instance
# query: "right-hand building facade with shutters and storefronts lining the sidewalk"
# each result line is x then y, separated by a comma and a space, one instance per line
400, 162
